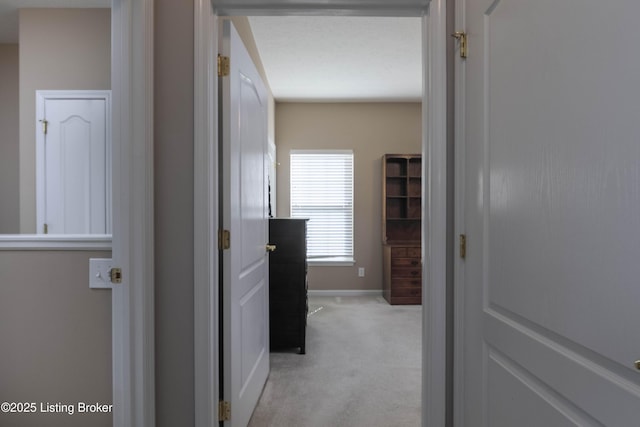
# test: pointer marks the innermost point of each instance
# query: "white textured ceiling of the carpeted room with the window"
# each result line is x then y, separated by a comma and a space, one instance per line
341, 58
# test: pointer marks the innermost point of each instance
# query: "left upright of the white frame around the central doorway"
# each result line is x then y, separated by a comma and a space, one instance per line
205, 215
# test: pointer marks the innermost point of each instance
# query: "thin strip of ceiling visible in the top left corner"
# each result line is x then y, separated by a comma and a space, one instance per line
9, 13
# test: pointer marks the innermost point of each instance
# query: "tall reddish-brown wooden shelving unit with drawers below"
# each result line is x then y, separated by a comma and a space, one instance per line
401, 228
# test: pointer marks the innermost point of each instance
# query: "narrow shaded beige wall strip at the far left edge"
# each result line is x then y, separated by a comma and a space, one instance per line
9, 140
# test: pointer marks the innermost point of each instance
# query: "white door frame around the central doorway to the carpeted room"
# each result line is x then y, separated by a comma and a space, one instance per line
434, 144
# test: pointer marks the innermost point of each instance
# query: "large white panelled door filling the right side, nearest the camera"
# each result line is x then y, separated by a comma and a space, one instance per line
552, 214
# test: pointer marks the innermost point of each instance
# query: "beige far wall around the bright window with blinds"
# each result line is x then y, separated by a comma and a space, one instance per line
371, 130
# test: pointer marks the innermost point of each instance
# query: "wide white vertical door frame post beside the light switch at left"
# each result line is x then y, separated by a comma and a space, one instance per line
132, 248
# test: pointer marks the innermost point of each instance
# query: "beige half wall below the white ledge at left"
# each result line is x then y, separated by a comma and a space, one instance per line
55, 336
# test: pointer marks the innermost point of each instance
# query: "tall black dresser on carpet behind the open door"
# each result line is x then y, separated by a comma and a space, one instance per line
288, 283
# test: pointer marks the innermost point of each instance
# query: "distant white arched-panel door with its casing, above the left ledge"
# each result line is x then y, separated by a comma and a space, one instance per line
73, 166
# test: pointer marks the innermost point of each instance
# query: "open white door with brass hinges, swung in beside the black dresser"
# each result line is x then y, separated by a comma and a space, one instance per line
245, 300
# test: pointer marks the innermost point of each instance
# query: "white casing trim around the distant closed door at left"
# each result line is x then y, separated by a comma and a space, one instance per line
41, 97
